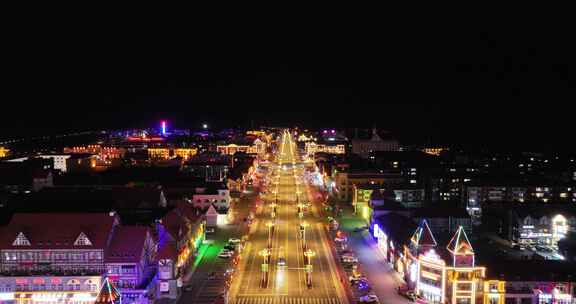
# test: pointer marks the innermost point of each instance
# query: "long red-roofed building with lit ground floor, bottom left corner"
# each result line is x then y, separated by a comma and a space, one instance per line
67, 257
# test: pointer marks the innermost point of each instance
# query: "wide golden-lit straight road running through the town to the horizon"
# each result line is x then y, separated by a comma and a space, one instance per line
287, 284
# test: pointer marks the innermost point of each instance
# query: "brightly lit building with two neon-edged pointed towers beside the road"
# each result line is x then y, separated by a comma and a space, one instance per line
436, 275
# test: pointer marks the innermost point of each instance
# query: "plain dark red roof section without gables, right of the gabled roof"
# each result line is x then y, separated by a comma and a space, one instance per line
127, 244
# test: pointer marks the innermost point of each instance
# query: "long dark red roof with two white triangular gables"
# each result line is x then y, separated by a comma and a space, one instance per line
57, 230
